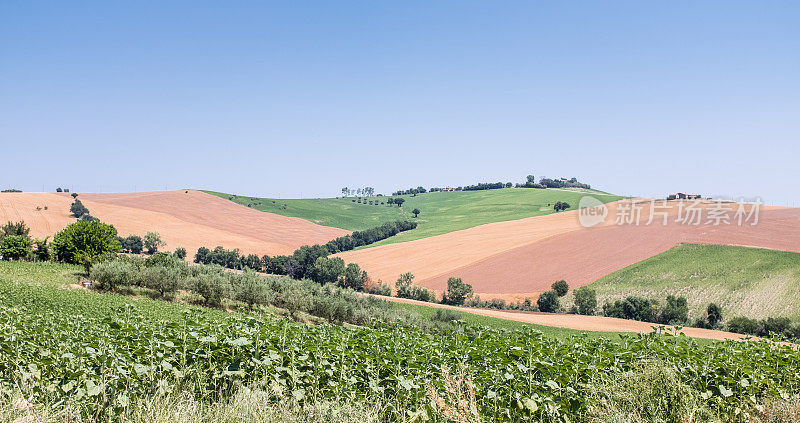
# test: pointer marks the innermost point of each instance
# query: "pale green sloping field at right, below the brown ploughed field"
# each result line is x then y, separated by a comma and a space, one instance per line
751, 282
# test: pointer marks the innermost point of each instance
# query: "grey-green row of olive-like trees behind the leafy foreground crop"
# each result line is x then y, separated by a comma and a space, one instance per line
217, 287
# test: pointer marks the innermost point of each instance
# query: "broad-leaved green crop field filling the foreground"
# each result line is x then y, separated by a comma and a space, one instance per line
101, 354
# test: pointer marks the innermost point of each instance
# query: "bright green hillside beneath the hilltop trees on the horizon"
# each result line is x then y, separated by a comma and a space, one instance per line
442, 212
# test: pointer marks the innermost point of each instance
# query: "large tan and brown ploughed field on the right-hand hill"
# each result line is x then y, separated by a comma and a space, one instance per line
518, 259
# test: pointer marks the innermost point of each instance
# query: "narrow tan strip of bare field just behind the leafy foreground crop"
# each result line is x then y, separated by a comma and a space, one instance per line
577, 322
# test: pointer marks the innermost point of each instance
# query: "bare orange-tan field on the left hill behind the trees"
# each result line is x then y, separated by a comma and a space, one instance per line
189, 220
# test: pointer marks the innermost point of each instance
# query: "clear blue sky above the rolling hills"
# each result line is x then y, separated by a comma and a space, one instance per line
302, 98
